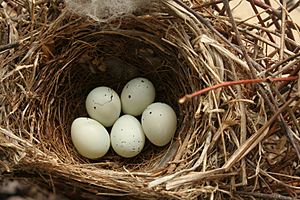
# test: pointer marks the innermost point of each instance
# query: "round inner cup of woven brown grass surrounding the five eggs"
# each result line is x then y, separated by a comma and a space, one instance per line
87, 55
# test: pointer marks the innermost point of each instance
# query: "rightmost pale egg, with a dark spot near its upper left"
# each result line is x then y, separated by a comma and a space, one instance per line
159, 123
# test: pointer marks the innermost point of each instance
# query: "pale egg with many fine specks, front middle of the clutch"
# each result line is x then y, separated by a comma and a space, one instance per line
127, 136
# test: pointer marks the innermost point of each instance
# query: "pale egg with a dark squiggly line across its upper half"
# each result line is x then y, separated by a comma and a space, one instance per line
103, 104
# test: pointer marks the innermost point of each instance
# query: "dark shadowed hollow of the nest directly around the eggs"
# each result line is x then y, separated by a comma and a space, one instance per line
113, 65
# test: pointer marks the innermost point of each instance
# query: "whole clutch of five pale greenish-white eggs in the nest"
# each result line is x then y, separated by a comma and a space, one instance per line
127, 136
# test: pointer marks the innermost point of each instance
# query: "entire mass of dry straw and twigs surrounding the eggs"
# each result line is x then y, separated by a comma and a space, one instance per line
237, 140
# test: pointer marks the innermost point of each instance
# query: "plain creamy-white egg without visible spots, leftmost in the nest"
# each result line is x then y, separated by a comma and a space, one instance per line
89, 137
